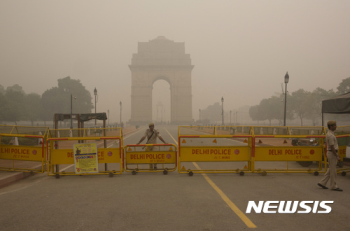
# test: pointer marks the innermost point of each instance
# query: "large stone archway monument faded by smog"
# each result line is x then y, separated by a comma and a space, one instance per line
161, 59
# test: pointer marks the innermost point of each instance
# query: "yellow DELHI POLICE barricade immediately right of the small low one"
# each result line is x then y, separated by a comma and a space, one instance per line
215, 149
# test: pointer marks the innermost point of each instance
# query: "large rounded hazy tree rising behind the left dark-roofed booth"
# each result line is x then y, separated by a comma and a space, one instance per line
57, 99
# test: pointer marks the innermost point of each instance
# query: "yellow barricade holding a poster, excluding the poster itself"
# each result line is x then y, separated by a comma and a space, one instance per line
109, 143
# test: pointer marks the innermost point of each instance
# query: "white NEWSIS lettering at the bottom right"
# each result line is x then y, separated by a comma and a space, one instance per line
289, 207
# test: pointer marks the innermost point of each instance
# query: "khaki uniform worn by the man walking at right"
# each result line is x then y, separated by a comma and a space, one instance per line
332, 160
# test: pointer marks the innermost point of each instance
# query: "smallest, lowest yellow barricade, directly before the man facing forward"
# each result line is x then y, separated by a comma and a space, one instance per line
158, 158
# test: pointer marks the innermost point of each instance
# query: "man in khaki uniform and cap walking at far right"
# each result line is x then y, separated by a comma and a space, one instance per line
332, 156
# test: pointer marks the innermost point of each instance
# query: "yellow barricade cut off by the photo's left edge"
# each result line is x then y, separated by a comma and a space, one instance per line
22, 148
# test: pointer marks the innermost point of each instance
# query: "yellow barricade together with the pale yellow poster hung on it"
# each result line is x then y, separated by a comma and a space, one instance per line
86, 149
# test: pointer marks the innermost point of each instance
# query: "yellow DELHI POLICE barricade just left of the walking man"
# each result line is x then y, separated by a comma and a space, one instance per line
297, 147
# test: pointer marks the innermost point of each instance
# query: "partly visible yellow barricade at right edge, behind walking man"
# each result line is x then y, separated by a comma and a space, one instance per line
343, 137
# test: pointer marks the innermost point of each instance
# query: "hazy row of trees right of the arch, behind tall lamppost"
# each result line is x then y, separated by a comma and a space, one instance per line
301, 104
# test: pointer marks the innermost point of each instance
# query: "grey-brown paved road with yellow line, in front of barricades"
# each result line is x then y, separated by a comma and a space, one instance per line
153, 201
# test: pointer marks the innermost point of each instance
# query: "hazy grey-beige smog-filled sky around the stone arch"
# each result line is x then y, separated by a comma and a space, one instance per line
240, 49
